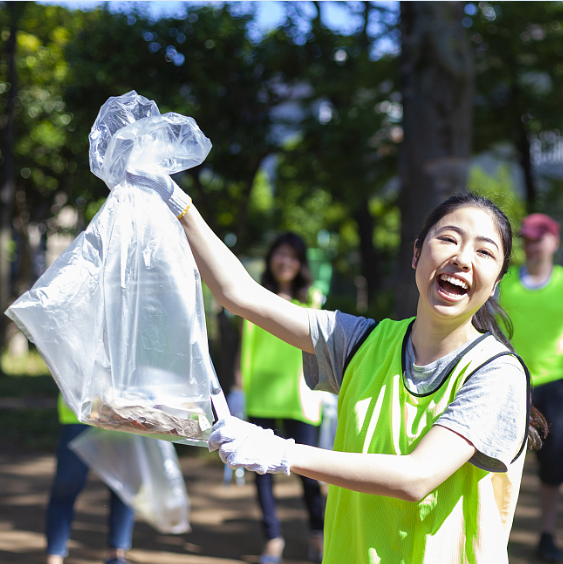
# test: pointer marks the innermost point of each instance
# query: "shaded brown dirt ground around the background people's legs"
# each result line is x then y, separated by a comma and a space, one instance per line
225, 526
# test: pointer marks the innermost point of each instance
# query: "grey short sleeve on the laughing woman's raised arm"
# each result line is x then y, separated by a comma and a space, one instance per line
335, 336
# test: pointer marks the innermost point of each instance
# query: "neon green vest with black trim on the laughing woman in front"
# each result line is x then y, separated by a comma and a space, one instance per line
467, 519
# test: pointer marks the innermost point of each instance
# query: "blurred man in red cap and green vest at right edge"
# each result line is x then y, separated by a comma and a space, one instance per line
532, 295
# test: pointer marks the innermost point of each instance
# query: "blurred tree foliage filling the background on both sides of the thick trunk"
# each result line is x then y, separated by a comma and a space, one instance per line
333, 164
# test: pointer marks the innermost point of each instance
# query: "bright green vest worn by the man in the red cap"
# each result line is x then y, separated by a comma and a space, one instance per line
537, 316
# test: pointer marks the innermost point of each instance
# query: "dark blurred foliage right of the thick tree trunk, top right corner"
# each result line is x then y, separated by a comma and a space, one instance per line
519, 69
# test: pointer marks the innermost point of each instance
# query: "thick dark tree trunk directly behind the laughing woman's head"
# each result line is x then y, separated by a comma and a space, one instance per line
436, 74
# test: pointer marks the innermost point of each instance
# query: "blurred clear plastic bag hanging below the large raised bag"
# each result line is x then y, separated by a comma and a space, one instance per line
144, 473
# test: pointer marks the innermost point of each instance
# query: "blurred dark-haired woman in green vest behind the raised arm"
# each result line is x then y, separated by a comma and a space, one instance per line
270, 375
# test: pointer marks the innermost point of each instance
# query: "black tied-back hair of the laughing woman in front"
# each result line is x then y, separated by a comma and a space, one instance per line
486, 318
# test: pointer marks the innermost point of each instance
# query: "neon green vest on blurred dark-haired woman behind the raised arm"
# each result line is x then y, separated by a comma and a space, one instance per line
272, 376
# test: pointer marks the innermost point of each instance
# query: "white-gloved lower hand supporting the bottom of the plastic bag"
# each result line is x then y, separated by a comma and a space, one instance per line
243, 444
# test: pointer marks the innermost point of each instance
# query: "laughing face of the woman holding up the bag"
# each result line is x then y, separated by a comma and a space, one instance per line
459, 263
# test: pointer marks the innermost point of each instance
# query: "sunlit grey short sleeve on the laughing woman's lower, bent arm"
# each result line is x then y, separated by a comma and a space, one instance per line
490, 411
